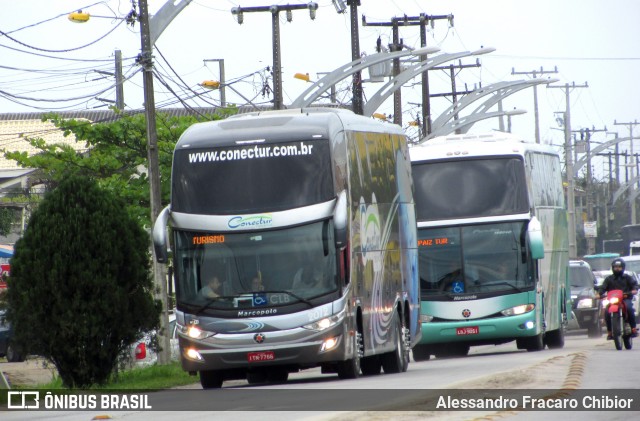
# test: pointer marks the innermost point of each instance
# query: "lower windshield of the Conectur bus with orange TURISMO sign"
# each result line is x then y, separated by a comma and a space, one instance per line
253, 270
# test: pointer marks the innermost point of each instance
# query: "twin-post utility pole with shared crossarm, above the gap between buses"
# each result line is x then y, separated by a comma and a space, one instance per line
397, 45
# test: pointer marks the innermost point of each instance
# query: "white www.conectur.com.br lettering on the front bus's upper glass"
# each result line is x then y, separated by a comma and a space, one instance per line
251, 152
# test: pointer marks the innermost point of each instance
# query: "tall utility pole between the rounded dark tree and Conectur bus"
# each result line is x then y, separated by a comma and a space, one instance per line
145, 59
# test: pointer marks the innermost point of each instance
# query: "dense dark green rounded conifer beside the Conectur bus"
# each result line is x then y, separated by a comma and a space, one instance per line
80, 286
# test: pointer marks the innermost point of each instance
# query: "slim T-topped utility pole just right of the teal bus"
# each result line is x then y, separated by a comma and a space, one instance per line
571, 199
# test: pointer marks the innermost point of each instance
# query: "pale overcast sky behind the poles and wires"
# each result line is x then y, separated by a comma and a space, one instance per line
589, 41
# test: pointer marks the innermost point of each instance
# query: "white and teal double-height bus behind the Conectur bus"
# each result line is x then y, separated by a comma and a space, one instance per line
493, 244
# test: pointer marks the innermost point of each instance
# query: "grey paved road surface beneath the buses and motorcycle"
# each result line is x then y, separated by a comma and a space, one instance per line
584, 363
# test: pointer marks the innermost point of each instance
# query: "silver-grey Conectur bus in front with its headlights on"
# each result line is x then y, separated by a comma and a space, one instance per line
306, 218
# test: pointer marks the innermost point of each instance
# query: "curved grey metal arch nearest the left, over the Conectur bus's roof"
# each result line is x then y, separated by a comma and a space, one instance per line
325, 83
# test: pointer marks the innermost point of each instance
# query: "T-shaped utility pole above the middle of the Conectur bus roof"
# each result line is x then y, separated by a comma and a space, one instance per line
275, 10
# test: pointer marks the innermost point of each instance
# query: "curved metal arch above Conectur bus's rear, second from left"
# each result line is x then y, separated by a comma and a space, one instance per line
397, 81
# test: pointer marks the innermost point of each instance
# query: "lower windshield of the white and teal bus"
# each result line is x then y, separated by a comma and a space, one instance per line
478, 259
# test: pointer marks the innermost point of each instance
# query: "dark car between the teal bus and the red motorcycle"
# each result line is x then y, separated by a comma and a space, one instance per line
585, 305
